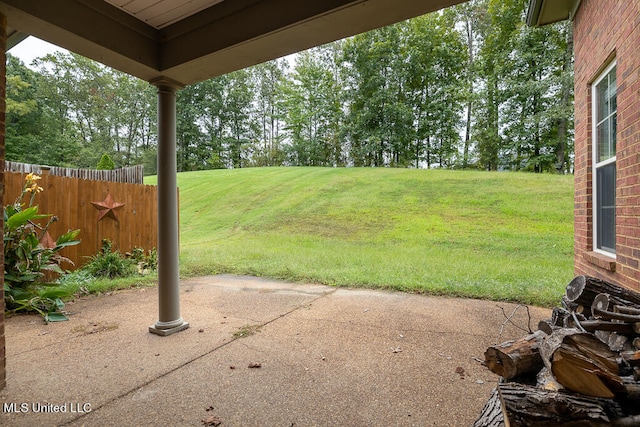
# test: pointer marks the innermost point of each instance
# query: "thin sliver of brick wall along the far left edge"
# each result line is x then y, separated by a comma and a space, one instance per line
3, 80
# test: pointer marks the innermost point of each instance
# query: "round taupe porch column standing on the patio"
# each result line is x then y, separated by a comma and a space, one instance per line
169, 321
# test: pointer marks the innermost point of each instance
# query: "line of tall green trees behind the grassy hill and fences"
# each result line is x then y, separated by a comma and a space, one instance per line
467, 87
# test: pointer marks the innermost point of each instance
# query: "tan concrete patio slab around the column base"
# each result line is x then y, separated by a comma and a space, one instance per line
320, 356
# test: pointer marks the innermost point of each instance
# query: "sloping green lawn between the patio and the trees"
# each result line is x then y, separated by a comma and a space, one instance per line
503, 236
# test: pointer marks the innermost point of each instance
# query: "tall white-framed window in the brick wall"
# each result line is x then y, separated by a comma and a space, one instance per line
604, 100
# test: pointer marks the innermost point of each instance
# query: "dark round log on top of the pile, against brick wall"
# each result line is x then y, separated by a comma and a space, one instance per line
582, 290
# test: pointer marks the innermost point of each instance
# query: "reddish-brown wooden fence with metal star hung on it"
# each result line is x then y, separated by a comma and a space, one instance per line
124, 213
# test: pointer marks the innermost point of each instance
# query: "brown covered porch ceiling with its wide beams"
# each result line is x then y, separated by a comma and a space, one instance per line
188, 41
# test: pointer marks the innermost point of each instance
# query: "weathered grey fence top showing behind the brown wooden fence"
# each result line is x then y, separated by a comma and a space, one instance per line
132, 174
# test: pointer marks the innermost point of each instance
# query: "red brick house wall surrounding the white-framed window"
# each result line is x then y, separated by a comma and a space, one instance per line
605, 30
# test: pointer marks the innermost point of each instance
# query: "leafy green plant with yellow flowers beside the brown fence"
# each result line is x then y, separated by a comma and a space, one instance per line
26, 259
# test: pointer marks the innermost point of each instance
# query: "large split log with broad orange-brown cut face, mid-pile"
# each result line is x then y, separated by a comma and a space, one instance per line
581, 363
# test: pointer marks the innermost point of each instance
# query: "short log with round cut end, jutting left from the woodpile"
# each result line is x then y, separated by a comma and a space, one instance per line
513, 358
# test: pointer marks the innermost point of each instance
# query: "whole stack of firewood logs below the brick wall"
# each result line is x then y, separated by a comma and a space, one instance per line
580, 368
